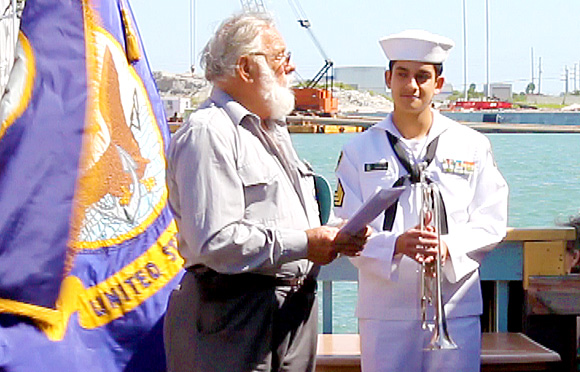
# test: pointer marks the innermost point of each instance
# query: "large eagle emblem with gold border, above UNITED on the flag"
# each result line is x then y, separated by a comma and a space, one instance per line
123, 177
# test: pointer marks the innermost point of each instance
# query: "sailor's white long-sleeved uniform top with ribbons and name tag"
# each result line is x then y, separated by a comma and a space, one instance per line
475, 196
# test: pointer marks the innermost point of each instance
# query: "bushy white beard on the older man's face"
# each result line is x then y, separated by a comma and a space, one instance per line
278, 98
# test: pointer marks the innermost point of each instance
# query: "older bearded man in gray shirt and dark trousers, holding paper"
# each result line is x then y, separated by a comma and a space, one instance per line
248, 220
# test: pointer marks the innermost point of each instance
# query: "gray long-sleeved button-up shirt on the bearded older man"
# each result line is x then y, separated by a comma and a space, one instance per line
241, 197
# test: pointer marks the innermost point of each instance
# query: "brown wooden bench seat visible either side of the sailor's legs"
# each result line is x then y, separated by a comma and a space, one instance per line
499, 352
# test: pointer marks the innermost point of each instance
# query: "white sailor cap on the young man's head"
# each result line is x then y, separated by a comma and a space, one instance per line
416, 45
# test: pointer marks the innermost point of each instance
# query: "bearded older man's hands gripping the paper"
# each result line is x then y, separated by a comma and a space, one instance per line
325, 243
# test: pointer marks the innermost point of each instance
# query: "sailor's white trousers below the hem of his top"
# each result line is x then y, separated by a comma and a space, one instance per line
398, 346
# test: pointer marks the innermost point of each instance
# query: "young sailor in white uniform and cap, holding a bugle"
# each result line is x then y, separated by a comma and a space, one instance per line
474, 195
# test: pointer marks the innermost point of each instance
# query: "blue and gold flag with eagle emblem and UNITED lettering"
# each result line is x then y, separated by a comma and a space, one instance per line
87, 242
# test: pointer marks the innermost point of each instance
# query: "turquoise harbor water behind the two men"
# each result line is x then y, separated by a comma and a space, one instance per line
542, 171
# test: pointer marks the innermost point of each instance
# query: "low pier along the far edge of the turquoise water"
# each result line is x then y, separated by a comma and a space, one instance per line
343, 124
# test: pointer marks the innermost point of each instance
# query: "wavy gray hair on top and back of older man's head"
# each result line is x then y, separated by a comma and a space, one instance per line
236, 36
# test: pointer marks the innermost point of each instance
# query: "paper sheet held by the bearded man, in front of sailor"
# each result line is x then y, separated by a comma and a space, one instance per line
371, 208
